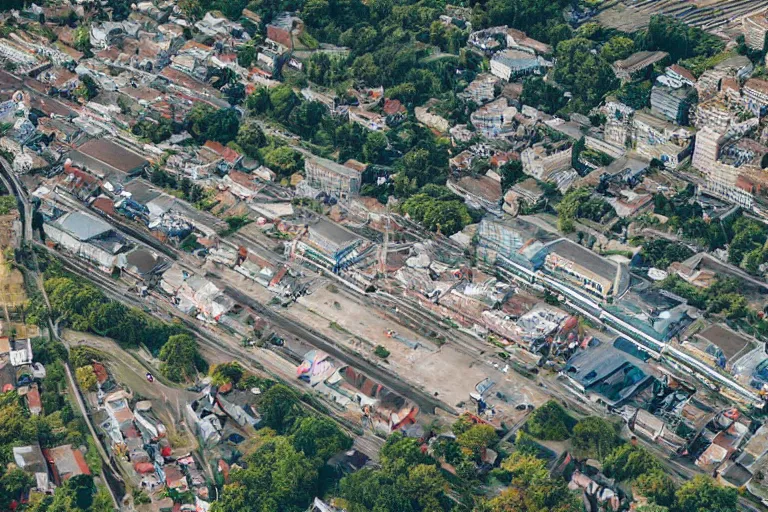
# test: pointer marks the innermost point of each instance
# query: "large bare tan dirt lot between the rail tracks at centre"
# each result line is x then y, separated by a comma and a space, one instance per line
445, 370
